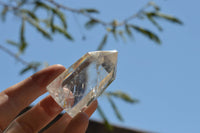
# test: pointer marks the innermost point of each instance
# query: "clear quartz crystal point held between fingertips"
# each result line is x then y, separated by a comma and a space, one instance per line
84, 81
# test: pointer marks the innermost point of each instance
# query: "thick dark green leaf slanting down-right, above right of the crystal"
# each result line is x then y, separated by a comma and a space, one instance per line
147, 33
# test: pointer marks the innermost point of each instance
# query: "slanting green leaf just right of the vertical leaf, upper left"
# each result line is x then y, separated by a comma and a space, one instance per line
40, 29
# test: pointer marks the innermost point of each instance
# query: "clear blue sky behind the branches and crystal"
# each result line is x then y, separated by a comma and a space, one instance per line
166, 78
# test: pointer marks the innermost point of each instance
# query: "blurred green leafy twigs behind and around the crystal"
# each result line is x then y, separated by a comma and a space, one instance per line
28, 11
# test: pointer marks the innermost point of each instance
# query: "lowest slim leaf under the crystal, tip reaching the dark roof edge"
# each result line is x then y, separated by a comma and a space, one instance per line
103, 116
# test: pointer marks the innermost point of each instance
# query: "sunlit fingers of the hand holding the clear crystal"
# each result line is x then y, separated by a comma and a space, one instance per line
17, 97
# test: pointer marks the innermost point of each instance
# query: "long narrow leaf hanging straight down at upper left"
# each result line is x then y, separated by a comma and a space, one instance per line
23, 43
